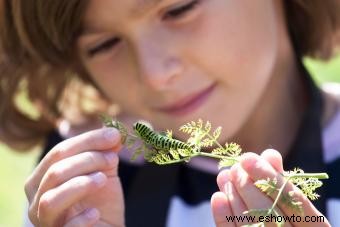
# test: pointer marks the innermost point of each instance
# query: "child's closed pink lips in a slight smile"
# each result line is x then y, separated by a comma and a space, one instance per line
189, 103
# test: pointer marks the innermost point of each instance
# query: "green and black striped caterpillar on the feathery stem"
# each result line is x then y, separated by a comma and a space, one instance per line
157, 140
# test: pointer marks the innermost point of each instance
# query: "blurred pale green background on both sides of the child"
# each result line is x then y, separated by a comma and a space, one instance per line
15, 167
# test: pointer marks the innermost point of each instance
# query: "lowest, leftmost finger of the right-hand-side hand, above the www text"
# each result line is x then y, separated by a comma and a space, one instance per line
221, 210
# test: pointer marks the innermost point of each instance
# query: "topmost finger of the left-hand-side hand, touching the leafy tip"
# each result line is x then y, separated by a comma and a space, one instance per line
100, 139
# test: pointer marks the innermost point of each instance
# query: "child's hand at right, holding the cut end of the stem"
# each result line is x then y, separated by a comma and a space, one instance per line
238, 192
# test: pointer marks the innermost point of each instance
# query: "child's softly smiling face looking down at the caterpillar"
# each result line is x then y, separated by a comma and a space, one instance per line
174, 61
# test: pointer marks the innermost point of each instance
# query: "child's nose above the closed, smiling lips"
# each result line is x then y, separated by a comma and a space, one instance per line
157, 63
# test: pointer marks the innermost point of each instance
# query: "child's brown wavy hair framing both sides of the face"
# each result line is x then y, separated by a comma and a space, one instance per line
37, 57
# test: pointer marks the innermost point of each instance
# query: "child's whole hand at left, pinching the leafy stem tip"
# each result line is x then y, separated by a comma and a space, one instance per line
77, 184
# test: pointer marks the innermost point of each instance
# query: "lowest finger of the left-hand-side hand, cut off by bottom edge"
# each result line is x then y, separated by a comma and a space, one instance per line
87, 218
